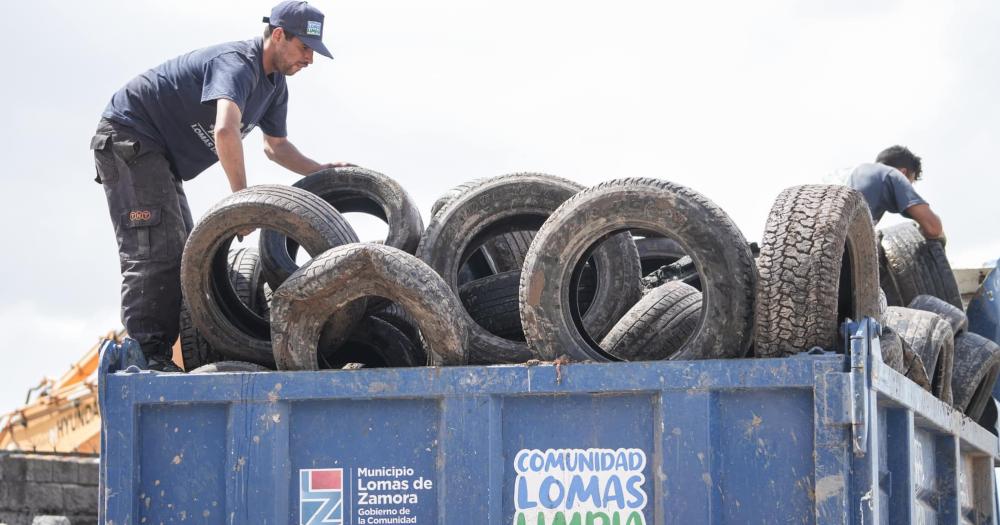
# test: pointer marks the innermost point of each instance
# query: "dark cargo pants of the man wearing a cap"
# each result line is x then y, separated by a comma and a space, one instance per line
152, 220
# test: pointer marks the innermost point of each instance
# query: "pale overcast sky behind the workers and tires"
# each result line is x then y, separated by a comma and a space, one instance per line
737, 100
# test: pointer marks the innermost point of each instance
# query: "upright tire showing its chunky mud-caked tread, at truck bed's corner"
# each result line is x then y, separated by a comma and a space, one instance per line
818, 265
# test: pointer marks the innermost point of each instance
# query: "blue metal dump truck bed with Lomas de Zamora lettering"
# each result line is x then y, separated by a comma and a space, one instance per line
820, 438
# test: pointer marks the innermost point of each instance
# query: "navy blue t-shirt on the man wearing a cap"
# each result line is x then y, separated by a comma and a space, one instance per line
174, 103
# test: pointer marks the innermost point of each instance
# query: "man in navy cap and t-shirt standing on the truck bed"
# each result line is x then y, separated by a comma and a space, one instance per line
172, 122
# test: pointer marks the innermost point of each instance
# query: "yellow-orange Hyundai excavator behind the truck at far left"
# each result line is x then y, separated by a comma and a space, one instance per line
61, 415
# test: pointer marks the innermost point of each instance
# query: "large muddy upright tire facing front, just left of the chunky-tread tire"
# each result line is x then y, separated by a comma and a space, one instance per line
705, 232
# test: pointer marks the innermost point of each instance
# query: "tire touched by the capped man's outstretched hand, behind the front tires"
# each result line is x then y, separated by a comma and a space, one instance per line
347, 189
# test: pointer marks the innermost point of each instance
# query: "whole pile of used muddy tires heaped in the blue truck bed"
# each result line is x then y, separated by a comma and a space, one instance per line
531, 266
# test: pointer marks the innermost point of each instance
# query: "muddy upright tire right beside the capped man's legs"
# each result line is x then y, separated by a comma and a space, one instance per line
230, 326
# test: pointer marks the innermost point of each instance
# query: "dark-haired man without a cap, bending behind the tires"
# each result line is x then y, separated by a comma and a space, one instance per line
887, 185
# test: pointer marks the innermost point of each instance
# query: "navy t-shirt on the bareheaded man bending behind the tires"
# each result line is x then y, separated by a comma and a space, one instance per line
885, 188
